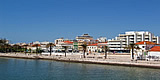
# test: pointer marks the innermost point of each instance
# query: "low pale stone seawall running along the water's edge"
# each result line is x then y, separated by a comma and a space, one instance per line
88, 61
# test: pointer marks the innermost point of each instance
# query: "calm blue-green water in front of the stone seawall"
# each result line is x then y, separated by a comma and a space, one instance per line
24, 69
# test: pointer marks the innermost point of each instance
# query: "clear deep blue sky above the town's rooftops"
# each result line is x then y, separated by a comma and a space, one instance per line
46, 20
